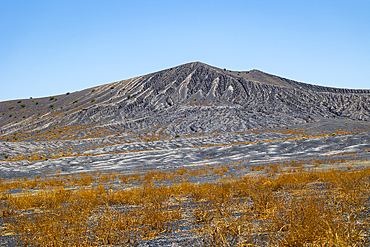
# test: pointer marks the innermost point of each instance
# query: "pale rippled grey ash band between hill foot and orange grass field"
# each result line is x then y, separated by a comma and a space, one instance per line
247, 148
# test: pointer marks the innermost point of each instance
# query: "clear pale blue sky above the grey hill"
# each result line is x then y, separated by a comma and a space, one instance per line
53, 47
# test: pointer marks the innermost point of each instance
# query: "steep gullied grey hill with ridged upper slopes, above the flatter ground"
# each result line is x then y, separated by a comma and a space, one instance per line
194, 98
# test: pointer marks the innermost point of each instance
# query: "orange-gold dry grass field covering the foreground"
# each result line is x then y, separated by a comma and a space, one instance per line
303, 208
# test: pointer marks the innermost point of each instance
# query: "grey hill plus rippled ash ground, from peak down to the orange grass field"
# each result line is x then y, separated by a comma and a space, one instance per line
181, 112
